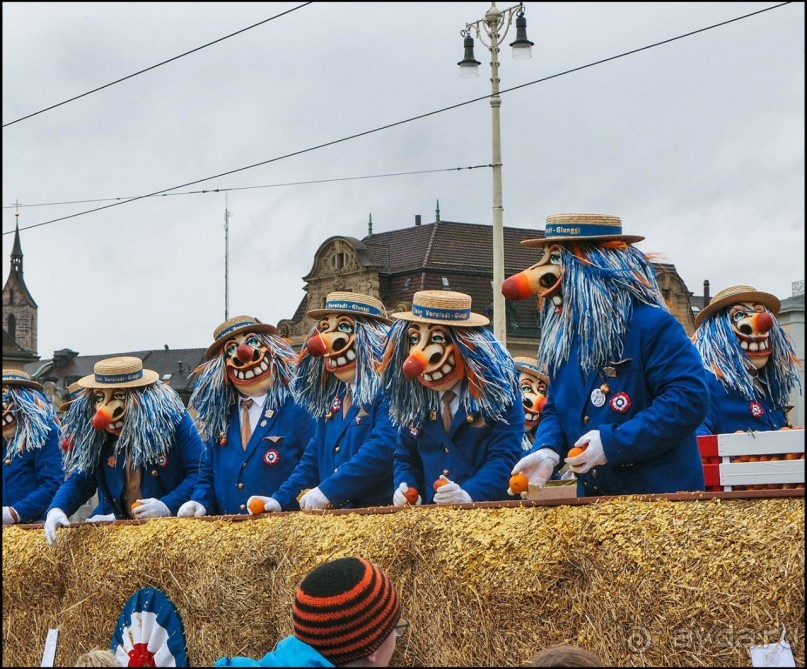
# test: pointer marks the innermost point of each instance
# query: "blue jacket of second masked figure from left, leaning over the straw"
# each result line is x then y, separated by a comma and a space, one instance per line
171, 480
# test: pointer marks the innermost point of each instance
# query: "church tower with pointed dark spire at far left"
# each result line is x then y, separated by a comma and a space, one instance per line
19, 308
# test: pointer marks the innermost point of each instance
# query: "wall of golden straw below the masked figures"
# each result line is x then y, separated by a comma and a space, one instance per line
639, 583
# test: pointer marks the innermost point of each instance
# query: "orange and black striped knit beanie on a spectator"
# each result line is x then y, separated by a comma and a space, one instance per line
345, 609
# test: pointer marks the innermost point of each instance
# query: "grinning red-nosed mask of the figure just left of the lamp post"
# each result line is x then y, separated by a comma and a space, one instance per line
433, 357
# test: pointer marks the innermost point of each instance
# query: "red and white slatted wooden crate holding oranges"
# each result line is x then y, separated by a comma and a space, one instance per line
753, 460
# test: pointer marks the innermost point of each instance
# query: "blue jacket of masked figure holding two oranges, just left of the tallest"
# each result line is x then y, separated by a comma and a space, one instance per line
476, 455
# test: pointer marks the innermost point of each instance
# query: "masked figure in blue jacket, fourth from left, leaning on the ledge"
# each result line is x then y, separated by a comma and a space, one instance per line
348, 463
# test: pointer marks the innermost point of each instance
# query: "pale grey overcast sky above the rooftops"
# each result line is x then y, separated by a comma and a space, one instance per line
697, 144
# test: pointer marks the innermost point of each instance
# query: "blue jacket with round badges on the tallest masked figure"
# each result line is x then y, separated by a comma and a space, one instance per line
657, 396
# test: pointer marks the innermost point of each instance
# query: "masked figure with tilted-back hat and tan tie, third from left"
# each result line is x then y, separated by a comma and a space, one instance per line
253, 429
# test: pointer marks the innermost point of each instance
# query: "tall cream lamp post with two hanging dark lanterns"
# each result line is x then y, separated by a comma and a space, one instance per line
491, 31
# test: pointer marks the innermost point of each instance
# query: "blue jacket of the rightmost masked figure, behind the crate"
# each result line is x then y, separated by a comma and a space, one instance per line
729, 411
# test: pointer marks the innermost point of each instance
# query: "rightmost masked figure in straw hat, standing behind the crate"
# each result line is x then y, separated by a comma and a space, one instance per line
751, 362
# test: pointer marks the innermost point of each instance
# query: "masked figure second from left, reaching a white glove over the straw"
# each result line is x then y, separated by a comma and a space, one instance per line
129, 436
